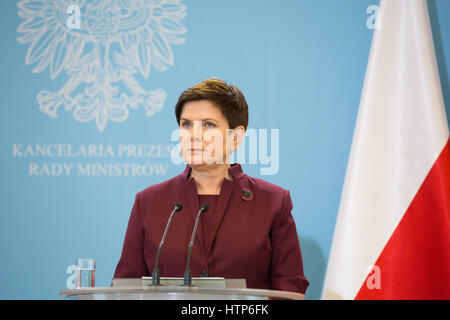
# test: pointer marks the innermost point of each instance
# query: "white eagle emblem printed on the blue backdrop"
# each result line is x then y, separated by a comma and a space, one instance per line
116, 40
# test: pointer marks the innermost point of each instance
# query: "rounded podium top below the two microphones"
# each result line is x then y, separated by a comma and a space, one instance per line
178, 293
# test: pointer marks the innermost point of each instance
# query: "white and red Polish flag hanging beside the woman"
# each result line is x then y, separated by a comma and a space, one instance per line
392, 234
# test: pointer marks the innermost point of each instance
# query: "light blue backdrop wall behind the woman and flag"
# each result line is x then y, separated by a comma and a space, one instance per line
74, 152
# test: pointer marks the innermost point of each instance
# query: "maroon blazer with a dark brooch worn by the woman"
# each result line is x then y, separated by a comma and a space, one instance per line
252, 236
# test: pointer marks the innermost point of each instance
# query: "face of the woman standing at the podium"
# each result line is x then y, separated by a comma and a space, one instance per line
205, 135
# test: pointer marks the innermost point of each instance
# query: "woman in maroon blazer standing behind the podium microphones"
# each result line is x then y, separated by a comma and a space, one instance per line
248, 232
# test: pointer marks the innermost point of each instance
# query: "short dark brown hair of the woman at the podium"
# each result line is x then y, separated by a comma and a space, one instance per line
228, 98
